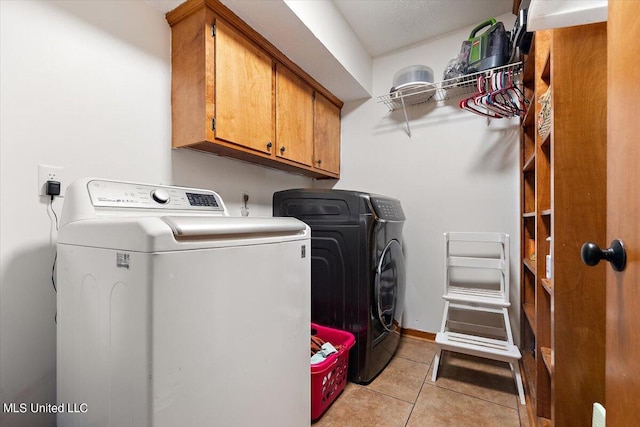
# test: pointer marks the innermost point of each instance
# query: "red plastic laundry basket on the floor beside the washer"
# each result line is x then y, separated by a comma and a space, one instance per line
329, 378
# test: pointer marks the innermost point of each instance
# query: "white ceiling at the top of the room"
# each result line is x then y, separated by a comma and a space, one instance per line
387, 25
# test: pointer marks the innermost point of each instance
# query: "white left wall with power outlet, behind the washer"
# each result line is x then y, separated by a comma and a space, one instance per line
85, 86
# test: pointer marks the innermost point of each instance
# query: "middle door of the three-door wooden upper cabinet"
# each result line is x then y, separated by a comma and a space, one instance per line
294, 117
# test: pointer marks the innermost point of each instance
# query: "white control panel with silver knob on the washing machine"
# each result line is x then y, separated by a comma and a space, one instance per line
114, 194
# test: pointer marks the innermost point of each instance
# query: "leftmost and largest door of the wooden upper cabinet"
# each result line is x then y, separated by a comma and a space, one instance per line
243, 91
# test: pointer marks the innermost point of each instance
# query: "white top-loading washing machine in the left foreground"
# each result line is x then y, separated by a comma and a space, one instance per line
173, 313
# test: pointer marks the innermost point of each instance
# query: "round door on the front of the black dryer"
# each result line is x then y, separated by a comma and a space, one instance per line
389, 286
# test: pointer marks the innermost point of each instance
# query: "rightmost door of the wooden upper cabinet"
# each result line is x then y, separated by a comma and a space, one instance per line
326, 135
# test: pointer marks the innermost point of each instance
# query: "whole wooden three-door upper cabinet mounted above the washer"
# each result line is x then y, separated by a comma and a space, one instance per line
235, 94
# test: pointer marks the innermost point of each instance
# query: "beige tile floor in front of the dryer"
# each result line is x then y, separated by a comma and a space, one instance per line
470, 391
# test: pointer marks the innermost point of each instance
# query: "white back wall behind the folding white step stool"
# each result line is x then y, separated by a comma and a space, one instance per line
456, 173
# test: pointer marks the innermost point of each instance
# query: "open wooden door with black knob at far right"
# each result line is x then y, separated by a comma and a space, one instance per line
622, 388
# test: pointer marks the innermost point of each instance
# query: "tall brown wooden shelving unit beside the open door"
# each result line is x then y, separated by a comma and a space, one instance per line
563, 205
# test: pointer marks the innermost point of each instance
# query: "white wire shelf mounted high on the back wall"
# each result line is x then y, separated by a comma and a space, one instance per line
440, 91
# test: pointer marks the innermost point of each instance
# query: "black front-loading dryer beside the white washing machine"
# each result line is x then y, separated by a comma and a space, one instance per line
357, 269
